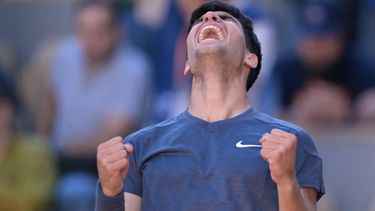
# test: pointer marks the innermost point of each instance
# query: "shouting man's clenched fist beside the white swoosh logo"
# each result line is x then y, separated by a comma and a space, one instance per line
279, 150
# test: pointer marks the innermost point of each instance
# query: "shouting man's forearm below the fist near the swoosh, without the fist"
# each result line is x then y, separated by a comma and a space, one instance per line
291, 197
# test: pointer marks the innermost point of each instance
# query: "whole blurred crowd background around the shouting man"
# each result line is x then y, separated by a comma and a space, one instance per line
75, 73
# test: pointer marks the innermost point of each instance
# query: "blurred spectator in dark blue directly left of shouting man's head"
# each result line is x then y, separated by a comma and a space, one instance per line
162, 32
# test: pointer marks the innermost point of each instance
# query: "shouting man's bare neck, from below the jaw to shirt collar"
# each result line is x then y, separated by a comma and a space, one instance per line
216, 97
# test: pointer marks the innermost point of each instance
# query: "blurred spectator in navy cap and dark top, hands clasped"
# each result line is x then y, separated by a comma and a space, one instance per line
322, 80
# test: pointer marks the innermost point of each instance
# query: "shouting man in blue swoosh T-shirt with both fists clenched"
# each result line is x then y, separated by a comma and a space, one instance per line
220, 154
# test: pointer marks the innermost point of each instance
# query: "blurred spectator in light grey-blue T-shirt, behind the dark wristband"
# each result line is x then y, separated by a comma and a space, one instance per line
97, 90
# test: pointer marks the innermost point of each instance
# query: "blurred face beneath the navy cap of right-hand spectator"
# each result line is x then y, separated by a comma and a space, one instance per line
320, 52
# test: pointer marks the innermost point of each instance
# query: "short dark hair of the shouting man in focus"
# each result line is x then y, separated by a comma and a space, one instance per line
252, 42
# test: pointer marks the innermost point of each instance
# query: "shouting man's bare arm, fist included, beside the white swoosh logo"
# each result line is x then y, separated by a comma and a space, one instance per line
279, 150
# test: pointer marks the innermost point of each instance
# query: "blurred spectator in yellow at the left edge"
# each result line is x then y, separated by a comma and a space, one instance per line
27, 170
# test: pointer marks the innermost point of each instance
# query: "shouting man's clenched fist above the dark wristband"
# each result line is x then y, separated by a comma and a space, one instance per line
113, 165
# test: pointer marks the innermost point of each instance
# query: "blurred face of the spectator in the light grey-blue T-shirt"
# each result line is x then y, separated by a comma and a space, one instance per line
97, 31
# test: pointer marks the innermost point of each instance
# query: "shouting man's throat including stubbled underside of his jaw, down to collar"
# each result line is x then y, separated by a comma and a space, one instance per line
218, 87
